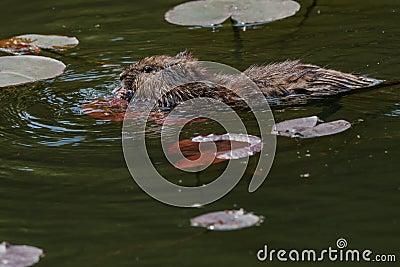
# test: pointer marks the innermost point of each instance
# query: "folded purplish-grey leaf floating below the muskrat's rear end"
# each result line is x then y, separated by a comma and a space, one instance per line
307, 127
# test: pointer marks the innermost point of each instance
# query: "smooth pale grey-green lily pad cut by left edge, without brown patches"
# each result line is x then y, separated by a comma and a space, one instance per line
16, 70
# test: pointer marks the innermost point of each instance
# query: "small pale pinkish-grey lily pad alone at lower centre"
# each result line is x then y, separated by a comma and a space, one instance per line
226, 220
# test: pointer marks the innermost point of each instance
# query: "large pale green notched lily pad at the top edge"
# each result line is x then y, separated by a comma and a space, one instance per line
212, 12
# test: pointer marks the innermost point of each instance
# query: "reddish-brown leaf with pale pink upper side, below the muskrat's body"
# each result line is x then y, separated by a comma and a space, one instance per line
229, 146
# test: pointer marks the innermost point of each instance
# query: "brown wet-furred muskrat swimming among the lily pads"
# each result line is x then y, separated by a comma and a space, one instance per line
276, 81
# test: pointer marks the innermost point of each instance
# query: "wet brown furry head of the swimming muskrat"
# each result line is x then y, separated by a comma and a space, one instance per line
136, 74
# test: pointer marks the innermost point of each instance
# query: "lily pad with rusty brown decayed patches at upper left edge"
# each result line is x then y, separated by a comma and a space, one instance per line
33, 43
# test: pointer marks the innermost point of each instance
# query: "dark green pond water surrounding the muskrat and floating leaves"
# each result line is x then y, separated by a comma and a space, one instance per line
64, 185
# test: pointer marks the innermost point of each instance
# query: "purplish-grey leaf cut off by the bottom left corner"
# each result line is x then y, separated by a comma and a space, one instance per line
18, 256
